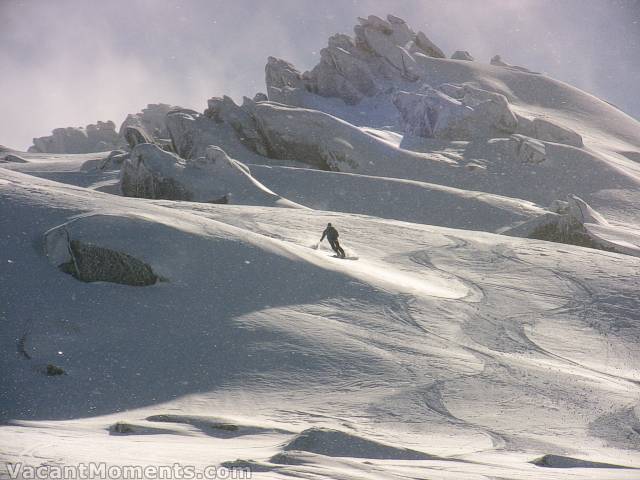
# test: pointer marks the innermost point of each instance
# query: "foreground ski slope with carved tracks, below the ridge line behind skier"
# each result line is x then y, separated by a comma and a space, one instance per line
468, 348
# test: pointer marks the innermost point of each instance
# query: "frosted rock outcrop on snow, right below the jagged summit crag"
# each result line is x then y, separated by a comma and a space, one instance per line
477, 113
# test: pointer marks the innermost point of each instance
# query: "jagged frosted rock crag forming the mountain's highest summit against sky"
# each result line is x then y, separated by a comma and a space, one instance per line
382, 53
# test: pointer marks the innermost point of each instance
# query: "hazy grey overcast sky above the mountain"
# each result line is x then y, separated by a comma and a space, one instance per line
73, 62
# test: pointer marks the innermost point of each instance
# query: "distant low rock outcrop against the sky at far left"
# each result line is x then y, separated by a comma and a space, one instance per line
100, 137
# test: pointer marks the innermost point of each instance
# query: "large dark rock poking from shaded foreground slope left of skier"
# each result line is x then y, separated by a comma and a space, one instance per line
93, 263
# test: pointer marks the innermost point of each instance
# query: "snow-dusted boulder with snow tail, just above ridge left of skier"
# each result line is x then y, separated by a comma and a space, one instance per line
151, 172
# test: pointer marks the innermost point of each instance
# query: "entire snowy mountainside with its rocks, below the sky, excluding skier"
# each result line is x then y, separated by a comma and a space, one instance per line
215, 331
